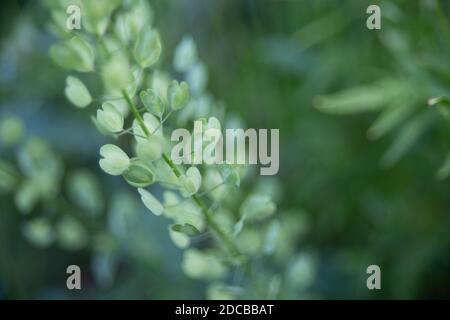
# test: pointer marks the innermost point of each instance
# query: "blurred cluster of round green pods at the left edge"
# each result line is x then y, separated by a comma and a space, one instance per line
35, 179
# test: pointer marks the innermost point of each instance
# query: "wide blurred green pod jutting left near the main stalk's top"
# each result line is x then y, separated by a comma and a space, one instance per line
76, 54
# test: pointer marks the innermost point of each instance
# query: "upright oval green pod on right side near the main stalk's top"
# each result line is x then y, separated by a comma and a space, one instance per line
147, 49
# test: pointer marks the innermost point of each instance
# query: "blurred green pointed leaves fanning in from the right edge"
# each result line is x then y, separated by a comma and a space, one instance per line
401, 94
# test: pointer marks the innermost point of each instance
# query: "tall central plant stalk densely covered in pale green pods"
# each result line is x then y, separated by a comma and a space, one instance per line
222, 215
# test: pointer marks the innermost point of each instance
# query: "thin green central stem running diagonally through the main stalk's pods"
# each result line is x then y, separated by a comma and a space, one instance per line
228, 242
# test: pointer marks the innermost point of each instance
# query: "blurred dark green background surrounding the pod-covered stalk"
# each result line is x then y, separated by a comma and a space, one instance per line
269, 61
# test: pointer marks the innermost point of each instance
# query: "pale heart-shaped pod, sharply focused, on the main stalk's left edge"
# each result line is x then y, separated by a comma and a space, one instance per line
115, 161
